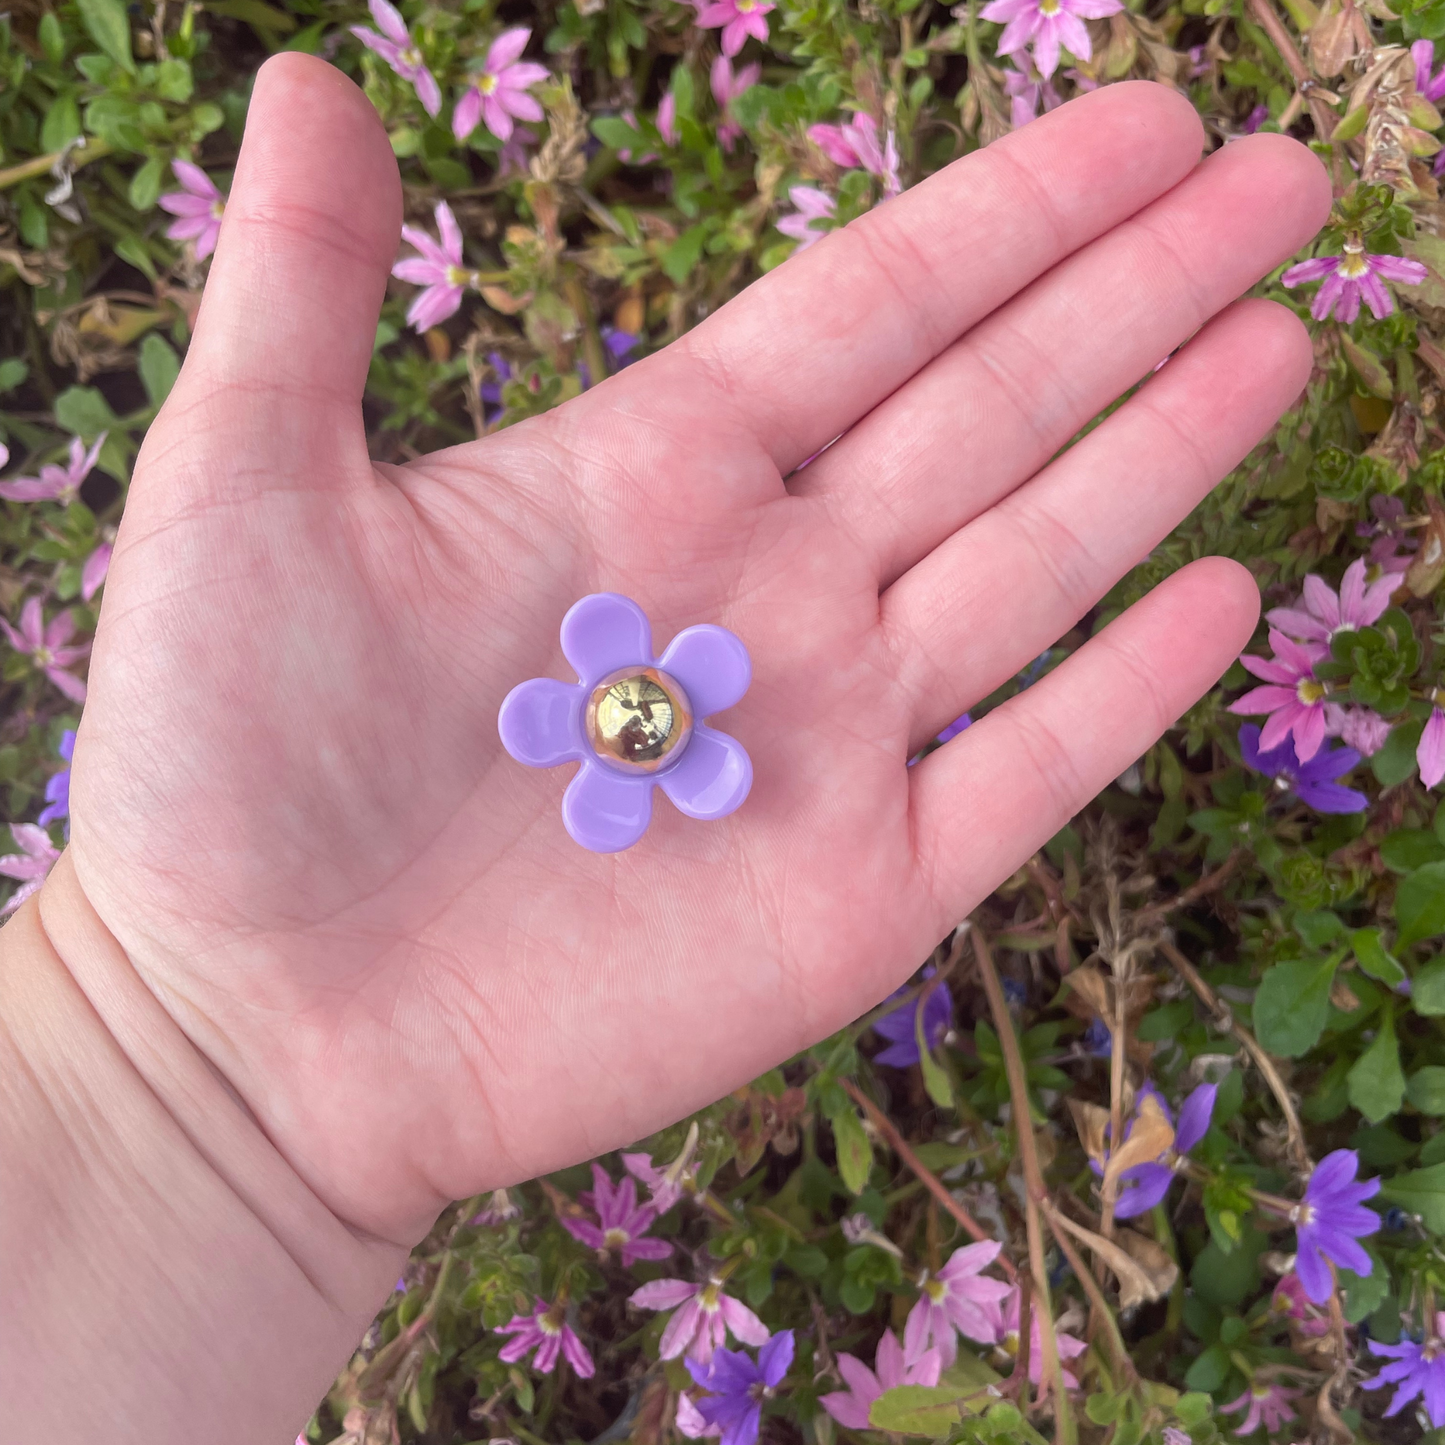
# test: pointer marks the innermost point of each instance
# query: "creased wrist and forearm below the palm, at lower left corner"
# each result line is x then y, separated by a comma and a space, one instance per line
164, 1262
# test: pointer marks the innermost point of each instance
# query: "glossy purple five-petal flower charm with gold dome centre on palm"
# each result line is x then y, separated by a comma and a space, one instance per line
635, 723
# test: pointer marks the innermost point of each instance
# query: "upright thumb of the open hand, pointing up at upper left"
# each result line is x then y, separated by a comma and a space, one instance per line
287, 329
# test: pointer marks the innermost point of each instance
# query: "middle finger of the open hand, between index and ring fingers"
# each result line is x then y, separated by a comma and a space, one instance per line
993, 408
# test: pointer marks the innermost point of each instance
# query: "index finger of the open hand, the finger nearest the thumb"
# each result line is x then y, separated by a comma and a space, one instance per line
816, 345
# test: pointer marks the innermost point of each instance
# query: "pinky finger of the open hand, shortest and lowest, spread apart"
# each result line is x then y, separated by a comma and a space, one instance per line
989, 800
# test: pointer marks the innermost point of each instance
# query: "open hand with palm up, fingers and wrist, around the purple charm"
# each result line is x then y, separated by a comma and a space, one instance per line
322, 957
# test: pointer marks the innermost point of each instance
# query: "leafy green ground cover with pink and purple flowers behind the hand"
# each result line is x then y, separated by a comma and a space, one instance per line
1230, 963
